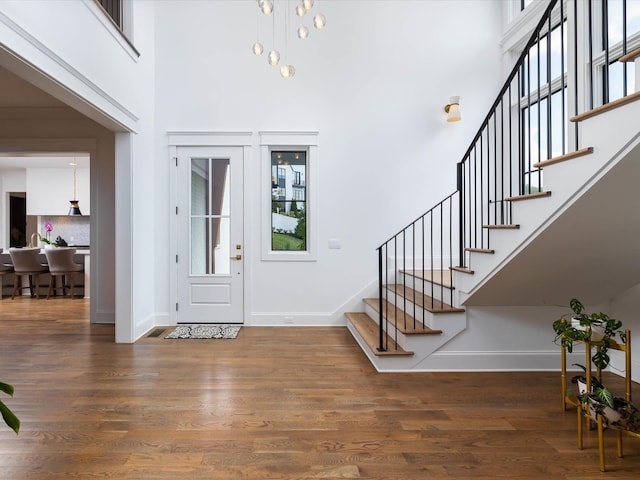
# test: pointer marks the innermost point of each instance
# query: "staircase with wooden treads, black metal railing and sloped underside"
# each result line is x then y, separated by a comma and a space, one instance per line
488, 243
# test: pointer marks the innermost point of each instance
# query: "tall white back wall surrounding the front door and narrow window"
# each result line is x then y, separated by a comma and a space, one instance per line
373, 84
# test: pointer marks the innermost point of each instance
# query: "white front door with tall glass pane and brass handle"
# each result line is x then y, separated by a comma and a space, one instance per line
209, 235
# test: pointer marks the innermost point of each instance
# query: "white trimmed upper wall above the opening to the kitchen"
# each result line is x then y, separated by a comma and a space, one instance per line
75, 44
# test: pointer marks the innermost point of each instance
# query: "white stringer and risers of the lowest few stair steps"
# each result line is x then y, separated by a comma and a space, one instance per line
422, 346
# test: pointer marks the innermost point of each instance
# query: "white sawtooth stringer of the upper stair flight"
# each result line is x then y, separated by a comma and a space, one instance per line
567, 182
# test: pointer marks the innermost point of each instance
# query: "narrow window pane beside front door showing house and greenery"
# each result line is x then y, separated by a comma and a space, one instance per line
288, 200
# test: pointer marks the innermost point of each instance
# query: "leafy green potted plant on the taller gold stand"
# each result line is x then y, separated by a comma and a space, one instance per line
581, 328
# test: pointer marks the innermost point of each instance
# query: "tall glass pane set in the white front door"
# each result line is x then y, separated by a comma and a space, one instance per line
209, 217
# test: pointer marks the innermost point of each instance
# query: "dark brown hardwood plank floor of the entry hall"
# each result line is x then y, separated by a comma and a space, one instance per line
275, 403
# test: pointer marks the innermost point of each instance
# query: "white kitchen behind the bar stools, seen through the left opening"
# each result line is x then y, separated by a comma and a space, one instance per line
45, 203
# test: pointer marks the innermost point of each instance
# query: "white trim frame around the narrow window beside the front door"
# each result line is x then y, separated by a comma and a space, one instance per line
289, 141
